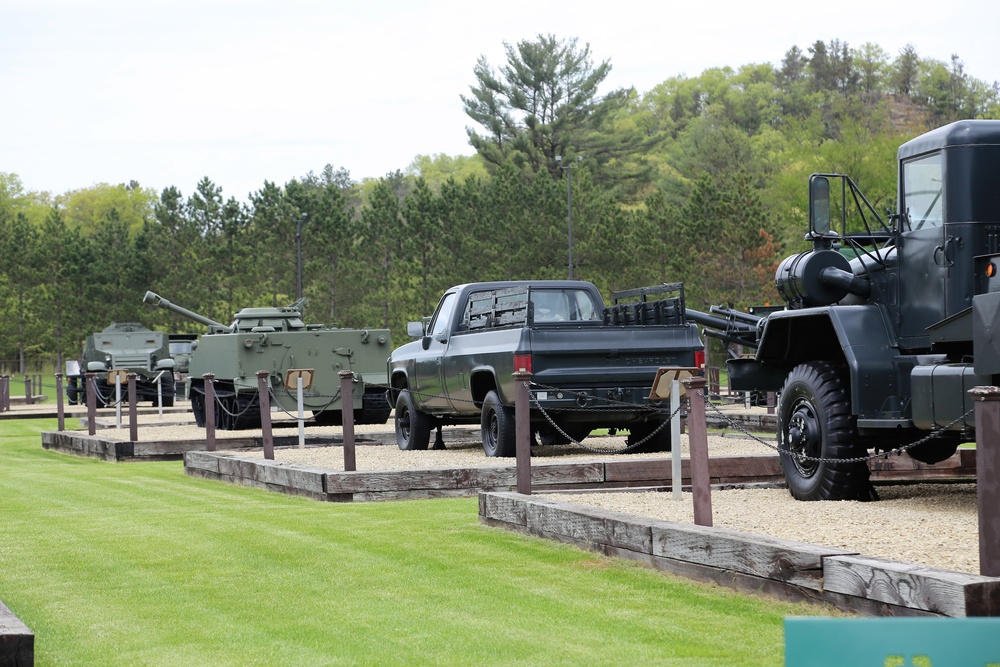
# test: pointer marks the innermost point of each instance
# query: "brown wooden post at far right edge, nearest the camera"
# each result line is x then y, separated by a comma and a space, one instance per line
988, 477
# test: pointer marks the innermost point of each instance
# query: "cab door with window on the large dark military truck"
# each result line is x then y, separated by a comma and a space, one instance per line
923, 256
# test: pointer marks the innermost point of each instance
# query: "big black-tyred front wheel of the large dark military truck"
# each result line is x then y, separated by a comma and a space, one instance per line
814, 419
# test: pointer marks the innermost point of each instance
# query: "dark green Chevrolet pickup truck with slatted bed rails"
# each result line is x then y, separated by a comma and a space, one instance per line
592, 365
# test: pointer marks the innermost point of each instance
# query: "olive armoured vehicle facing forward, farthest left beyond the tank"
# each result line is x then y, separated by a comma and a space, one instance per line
125, 346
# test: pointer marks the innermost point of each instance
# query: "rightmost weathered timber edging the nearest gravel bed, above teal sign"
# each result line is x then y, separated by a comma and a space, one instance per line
917, 586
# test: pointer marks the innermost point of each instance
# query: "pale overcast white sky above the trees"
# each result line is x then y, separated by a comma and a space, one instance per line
244, 91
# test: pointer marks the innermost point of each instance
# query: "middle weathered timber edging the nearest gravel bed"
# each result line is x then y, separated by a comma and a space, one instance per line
796, 563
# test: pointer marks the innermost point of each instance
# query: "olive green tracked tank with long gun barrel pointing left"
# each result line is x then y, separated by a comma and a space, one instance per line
277, 340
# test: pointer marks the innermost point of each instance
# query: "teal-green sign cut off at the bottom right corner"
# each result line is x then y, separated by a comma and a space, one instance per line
892, 642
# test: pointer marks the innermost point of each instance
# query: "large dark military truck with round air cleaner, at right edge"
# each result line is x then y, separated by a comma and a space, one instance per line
888, 322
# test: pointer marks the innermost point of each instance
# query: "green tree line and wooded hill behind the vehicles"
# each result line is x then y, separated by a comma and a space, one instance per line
700, 180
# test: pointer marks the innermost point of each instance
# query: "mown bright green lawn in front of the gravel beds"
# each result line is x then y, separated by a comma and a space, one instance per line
138, 564
